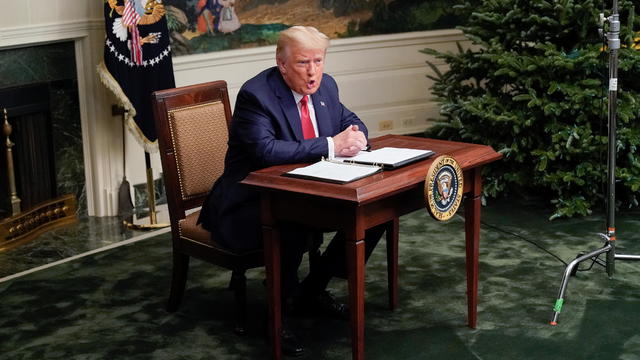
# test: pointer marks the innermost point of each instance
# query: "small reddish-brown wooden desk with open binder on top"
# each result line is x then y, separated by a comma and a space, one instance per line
357, 206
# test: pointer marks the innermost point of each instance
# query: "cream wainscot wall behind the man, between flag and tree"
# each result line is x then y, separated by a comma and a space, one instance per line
381, 78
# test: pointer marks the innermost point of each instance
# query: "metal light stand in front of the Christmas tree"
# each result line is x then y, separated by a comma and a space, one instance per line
609, 248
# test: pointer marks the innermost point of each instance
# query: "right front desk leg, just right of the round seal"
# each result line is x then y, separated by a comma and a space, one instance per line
472, 237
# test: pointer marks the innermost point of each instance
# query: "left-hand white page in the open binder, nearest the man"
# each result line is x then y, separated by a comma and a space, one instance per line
334, 171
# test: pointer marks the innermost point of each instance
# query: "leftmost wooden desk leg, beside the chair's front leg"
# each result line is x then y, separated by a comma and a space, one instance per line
272, 265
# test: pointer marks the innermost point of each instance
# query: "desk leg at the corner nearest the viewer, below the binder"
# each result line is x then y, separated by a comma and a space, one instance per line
355, 265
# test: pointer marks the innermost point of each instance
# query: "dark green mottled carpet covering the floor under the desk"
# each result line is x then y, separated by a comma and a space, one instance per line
111, 305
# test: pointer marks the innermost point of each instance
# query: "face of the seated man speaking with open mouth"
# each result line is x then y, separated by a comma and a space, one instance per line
302, 69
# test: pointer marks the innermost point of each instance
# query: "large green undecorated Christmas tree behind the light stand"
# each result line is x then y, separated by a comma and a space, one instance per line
533, 84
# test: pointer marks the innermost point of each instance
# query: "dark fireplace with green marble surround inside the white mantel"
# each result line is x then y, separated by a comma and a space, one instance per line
39, 90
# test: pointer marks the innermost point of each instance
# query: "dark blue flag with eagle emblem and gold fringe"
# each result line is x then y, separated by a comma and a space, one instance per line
131, 73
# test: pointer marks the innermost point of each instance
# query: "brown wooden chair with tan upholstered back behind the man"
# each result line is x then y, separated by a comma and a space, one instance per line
192, 126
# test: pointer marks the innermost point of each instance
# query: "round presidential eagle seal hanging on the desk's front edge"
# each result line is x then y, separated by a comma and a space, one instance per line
443, 188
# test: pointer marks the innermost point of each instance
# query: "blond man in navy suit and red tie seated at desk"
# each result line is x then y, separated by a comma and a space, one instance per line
290, 113
